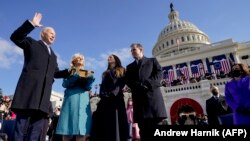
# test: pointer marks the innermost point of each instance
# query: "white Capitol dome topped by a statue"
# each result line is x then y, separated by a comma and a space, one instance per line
179, 35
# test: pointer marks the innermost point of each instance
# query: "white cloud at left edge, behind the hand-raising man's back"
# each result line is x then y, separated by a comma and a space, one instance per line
9, 54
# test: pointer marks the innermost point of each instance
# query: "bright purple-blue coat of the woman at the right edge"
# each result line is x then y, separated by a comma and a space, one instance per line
237, 94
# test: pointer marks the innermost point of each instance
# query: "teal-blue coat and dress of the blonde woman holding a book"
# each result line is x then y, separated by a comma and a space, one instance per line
75, 116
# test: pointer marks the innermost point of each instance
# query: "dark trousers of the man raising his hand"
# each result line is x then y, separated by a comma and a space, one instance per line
29, 128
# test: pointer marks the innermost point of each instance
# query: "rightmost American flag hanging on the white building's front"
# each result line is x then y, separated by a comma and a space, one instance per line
222, 65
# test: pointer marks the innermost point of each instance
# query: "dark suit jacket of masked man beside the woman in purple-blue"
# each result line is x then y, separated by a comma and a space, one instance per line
214, 109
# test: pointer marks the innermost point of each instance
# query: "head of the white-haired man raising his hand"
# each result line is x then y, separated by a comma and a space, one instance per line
48, 36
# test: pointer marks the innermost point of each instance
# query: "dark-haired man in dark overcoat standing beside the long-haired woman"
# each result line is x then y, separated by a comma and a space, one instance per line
143, 77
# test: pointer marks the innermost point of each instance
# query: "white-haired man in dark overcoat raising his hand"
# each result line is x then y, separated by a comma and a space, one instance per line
32, 95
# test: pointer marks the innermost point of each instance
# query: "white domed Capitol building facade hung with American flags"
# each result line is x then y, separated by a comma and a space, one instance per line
191, 64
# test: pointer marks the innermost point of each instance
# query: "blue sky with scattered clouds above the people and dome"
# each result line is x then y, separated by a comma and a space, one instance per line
97, 28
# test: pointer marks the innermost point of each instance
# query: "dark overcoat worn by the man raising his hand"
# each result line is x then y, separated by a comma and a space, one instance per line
33, 91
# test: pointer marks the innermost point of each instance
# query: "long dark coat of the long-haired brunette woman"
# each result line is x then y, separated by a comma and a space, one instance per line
110, 118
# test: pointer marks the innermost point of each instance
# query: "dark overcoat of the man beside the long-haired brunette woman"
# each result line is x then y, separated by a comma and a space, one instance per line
147, 103
